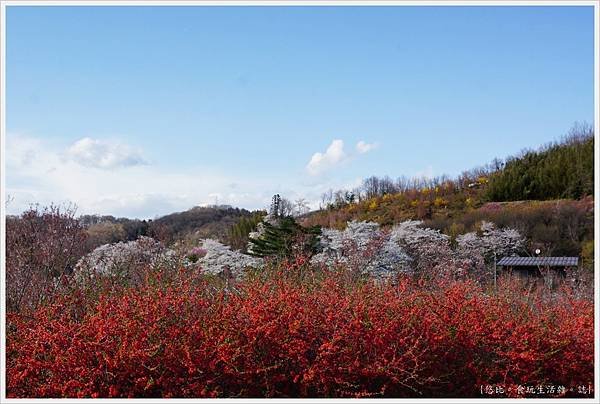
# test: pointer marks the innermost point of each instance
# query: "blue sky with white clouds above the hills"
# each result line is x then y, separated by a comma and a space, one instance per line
141, 111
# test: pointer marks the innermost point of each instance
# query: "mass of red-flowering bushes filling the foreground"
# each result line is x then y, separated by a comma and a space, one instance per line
276, 336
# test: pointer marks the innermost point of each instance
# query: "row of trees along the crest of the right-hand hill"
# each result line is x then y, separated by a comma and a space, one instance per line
562, 169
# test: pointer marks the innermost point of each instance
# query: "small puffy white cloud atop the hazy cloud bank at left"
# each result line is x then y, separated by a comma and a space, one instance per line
103, 154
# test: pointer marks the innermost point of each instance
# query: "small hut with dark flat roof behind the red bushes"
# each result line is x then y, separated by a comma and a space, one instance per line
551, 269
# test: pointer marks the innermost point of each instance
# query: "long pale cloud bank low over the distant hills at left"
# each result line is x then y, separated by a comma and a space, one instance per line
37, 172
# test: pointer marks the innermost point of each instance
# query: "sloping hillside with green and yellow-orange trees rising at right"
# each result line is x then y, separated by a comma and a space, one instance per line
546, 194
